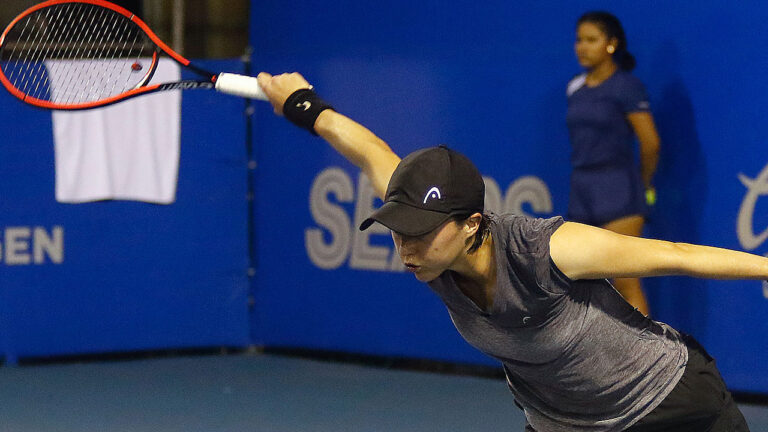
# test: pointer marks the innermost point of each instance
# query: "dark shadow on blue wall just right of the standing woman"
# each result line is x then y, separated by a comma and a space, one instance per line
681, 182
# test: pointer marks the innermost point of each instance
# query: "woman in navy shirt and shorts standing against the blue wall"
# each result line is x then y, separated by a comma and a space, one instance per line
607, 108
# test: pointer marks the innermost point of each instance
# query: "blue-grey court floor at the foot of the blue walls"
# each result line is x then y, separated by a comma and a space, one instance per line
253, 392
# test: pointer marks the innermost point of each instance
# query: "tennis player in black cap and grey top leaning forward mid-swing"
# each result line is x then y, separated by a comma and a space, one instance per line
532, 293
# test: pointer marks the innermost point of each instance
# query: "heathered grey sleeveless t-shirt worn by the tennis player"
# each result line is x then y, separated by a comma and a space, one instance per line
577, 356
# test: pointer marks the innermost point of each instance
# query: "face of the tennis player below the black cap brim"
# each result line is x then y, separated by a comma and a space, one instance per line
429, 255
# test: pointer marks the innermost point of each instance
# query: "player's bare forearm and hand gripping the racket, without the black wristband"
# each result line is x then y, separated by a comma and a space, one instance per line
351, 139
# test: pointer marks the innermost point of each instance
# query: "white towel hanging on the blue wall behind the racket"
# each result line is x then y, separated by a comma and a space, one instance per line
126, 151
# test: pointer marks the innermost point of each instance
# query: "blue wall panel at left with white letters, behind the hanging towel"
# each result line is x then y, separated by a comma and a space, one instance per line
134, 276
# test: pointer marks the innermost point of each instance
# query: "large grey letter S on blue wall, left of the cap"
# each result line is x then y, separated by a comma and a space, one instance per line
331, 217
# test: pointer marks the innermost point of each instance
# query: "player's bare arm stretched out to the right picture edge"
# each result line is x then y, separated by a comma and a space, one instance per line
586, 252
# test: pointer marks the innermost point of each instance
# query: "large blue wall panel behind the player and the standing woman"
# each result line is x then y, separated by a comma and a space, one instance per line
489, 79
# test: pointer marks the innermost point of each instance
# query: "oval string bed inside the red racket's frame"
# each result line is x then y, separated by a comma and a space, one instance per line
75, 53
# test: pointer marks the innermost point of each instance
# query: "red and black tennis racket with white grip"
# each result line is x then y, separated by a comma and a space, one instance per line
81, 54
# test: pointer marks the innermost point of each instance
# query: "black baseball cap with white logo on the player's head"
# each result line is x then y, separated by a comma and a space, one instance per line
428, 187
